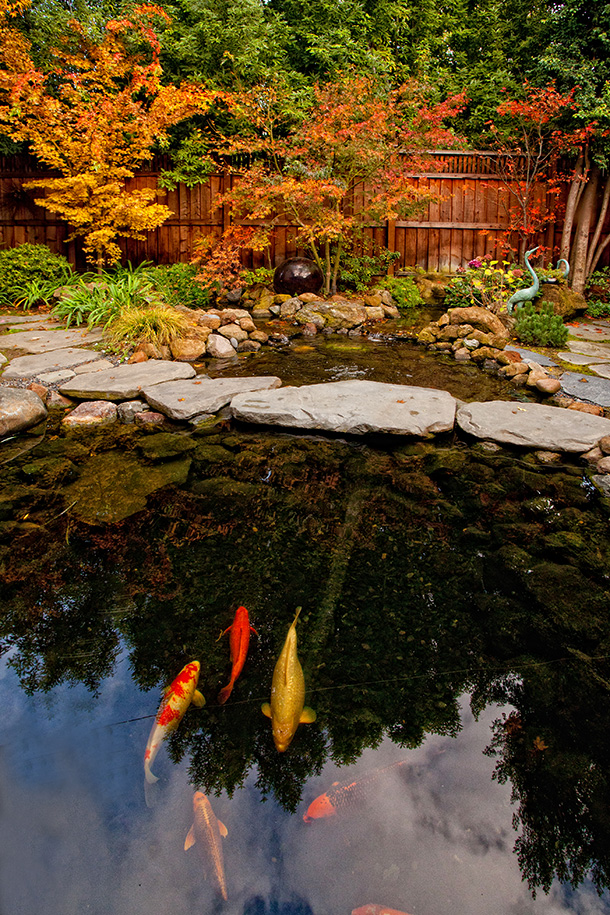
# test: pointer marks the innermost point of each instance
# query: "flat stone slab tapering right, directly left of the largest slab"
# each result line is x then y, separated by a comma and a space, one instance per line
182, 400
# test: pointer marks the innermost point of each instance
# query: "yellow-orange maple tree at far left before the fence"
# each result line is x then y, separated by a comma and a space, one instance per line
93, 116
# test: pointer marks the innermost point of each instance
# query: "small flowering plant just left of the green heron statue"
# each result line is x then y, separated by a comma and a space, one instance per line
485, 282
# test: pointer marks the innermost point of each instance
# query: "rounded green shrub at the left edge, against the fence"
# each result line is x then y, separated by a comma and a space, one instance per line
30, 273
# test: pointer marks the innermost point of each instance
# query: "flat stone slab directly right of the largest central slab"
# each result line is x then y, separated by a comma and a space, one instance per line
532, 425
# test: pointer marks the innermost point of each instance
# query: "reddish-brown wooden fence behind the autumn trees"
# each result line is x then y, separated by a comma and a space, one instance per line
470, 210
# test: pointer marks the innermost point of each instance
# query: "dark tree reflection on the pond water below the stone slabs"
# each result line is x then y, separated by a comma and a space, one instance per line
423, 571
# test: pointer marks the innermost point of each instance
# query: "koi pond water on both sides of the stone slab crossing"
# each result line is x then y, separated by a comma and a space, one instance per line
454, 637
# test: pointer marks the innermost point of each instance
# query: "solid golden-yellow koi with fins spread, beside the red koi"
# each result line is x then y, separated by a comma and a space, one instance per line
287, 693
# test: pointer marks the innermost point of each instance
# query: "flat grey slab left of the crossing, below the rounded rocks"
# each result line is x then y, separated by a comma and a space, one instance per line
125, 382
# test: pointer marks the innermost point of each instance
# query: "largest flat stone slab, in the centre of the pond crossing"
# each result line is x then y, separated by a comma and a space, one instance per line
354, 406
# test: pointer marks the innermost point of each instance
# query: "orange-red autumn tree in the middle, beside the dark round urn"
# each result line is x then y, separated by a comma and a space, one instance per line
359, 136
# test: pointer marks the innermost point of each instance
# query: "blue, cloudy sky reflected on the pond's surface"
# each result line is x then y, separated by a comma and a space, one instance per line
432, 837
